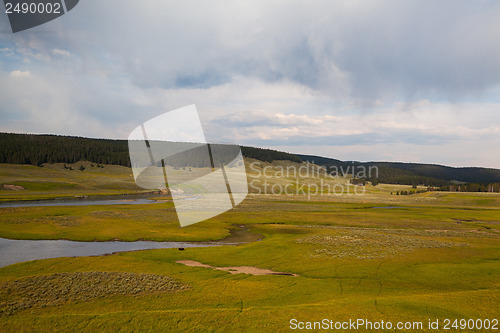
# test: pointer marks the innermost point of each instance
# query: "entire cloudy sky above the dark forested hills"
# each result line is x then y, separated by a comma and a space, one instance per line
412, 81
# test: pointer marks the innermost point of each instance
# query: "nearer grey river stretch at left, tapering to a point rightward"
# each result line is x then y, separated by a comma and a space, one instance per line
15, 251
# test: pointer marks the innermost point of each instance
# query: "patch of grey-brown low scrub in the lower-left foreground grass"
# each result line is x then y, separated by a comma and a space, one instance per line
55, 289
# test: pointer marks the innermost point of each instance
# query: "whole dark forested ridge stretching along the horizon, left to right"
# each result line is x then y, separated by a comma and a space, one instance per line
40, 149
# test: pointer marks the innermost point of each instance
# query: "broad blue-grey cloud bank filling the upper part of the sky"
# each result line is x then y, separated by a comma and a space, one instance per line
366, 51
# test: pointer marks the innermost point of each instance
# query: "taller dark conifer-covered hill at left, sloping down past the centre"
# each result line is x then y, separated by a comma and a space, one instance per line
39, 149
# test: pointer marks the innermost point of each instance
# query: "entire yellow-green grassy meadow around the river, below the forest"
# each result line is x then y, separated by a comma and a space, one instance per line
376, 256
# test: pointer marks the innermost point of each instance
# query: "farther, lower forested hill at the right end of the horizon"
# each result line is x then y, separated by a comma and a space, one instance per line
413, 173
